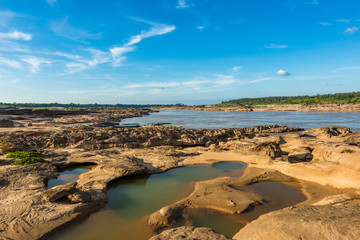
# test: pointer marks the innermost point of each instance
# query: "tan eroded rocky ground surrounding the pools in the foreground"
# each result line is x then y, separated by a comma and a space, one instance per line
323, 162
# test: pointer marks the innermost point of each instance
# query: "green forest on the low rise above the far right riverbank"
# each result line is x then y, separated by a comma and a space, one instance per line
337, 98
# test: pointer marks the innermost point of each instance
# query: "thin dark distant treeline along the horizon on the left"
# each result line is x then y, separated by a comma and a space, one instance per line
77, 105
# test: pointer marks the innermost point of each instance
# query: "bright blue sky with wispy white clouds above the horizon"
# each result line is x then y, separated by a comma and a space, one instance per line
176, 51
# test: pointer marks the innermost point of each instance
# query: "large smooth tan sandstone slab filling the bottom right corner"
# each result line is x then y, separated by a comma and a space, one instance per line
307, 222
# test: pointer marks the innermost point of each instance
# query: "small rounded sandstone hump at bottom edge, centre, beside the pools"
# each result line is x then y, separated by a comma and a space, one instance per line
189, 233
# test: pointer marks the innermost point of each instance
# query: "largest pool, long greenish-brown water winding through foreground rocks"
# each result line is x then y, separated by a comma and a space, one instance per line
132, 199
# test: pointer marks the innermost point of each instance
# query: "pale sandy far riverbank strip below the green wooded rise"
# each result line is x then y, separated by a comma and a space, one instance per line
272, 108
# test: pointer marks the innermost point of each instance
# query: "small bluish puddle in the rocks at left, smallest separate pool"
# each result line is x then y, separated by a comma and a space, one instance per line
68, 175
